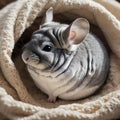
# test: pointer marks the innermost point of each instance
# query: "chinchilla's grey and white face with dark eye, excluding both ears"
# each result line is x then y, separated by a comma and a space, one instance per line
43, 51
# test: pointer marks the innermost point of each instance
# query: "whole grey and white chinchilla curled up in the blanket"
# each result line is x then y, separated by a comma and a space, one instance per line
66, 61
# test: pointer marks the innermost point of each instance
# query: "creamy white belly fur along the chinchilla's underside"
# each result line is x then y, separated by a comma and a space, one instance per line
57, 88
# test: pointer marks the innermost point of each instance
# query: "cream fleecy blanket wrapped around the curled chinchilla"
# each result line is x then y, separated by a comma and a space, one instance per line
19, 97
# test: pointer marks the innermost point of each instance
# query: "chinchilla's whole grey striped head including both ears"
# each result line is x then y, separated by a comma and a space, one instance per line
53, 43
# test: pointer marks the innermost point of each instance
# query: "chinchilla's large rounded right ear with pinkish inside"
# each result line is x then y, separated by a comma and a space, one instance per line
76, 32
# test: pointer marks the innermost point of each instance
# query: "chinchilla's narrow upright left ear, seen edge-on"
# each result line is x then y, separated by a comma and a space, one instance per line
48, 16
